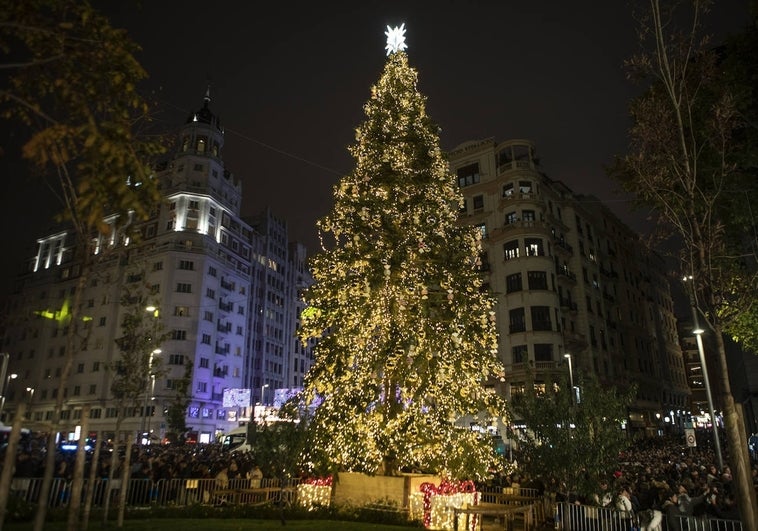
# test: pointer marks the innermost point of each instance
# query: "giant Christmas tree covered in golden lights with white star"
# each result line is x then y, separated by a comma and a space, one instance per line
406, 337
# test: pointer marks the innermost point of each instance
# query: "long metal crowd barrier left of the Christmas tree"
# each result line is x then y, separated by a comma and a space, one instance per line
163, 493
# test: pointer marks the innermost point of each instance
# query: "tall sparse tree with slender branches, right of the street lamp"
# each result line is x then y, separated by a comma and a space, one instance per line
685, 160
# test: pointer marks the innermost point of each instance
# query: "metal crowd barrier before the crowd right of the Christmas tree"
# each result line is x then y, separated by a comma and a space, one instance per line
572, 517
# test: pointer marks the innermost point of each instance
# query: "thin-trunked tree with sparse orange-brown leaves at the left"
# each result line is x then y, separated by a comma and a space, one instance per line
72, 81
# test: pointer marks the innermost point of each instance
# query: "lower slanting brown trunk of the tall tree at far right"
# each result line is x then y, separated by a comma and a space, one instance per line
741, 476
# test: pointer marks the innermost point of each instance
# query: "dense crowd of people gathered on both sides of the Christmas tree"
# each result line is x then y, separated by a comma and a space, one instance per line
655, 474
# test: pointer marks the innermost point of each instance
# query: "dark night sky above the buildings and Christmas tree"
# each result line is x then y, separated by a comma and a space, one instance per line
289, 81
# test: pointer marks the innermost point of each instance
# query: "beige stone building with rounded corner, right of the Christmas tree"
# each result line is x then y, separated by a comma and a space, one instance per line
575, 288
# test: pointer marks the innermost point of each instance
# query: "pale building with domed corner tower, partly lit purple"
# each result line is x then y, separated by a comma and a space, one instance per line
218, 285
